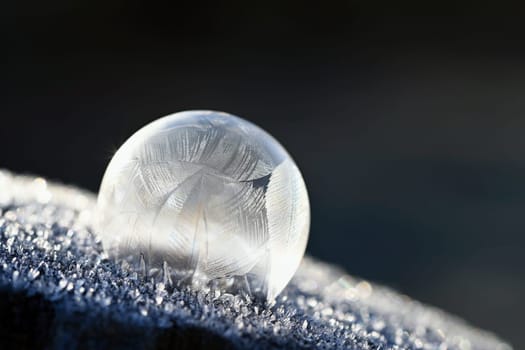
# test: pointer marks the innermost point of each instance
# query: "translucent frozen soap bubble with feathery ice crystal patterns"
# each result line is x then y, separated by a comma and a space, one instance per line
210, 195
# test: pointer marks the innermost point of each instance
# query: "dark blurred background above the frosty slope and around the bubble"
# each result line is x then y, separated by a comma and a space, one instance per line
407, 120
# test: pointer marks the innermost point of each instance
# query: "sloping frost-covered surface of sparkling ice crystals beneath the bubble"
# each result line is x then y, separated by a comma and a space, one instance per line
48, 253
